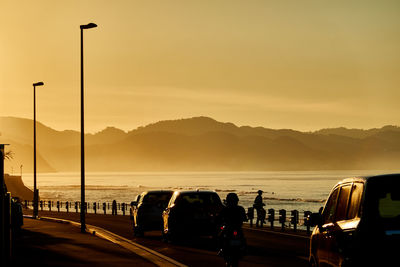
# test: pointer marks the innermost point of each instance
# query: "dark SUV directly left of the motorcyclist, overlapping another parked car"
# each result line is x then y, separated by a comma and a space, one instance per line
192, 213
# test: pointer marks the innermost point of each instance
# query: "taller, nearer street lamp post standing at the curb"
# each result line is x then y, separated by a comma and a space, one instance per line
83, 203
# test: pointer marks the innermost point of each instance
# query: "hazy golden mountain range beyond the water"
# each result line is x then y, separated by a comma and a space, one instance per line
202, 143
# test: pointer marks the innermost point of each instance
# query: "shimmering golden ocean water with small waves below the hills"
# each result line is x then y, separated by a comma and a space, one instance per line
300, 190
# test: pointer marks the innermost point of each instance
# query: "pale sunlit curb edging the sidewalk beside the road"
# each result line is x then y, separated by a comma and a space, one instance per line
146, 253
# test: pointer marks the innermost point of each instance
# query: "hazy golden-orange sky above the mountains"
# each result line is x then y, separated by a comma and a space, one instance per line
279, 64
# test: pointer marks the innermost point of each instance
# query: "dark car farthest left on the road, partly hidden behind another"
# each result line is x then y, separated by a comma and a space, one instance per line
147, 210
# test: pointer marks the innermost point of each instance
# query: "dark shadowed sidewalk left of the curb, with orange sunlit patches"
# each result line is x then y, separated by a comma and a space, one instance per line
45, 243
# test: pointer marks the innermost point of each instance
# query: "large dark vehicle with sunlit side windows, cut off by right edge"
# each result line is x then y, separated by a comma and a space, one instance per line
360, 224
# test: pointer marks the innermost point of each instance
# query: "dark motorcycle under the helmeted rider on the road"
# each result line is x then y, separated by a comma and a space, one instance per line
232, 245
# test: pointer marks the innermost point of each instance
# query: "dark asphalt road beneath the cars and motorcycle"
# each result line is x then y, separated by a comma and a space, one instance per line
265, 248
